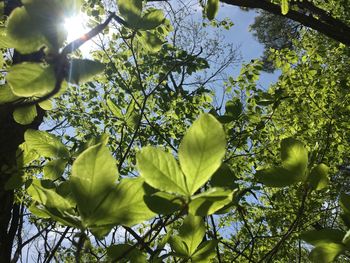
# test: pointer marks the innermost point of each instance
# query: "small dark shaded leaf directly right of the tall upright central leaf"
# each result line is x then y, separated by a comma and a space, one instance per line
224, 177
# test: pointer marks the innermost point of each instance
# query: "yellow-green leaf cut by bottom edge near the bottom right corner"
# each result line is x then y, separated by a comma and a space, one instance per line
326, 253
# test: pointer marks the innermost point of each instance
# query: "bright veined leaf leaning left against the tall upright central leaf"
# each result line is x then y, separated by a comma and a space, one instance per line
161, 171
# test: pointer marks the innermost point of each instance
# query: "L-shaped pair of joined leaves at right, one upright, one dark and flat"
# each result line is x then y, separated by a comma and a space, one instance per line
294, 164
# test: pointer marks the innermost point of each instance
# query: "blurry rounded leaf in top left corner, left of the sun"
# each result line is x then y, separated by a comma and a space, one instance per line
23, 32
